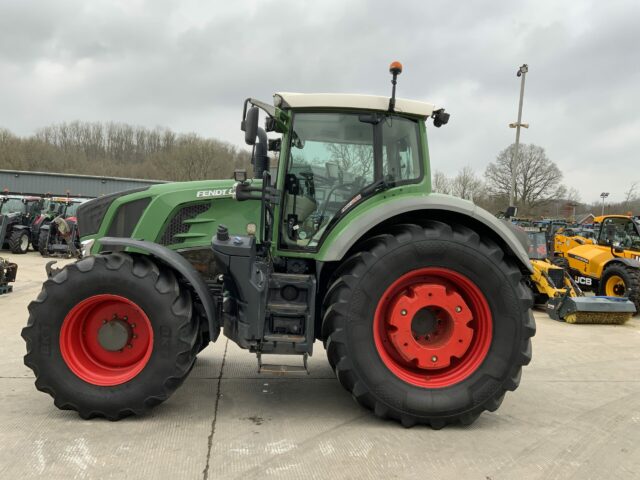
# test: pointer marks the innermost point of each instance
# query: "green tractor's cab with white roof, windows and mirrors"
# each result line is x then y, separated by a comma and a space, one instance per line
336, 152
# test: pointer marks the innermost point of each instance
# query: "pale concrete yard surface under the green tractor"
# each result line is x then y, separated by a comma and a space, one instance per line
575, 415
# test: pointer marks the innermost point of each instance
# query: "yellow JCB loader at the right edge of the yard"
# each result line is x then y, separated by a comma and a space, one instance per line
611, 266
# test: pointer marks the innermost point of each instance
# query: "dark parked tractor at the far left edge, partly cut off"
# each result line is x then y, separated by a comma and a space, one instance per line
17, 213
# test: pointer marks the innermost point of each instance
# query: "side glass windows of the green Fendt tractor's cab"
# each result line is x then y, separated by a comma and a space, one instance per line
337, 159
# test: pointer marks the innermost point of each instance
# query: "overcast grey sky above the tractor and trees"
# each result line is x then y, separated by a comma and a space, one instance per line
188, 65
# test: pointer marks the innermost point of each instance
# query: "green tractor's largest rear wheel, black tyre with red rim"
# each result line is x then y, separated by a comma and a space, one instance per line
429, 324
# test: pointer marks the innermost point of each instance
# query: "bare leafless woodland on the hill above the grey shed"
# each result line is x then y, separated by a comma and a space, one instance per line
117, 149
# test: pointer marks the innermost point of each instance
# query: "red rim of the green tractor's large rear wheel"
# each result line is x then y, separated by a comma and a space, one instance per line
433, 327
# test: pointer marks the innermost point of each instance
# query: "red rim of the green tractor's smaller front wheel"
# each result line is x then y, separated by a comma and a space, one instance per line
86, 356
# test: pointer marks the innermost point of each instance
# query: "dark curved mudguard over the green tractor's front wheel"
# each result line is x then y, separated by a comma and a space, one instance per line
178, 263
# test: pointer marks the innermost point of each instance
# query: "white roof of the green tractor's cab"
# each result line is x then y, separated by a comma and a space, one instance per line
343, 100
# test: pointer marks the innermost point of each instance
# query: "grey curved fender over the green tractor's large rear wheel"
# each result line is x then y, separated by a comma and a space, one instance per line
341, 240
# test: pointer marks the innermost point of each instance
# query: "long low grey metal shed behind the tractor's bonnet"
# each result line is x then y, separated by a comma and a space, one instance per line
59, 184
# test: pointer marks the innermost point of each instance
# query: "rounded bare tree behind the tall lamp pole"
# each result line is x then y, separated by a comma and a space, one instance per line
537, 179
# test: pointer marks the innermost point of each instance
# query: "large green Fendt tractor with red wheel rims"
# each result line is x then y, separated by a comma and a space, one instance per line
418, 298
